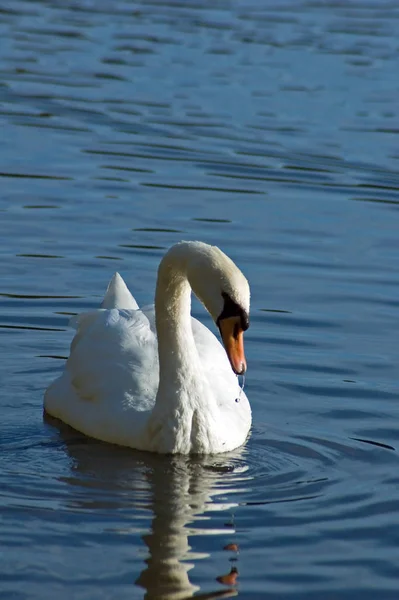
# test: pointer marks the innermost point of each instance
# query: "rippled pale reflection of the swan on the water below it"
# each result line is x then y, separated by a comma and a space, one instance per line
178, 491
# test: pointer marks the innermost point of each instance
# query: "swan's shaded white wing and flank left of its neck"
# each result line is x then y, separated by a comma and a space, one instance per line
111, 377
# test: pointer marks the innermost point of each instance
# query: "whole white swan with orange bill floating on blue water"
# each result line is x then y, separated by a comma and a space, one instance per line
161, 381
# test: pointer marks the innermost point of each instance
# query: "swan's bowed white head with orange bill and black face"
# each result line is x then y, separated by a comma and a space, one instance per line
222, 288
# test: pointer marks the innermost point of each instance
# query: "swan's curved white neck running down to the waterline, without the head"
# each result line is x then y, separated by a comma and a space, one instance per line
185, 412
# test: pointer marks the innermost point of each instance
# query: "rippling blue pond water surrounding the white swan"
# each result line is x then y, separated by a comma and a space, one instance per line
270, 129
